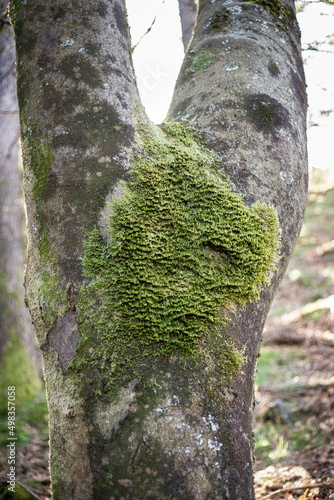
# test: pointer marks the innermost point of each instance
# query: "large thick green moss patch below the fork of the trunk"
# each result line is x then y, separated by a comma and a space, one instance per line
183, 247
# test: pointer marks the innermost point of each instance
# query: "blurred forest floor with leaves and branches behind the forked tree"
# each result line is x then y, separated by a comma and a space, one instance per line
294, 414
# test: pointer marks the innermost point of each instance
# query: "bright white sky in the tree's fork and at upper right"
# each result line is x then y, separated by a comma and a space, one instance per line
159, 55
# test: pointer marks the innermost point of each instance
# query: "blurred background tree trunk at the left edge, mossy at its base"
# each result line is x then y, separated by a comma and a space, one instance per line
20, 362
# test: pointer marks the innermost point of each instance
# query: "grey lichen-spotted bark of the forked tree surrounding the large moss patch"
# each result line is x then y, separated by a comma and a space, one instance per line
242, 87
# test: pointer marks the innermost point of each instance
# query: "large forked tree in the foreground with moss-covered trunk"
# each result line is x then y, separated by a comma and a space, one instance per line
152, 250
